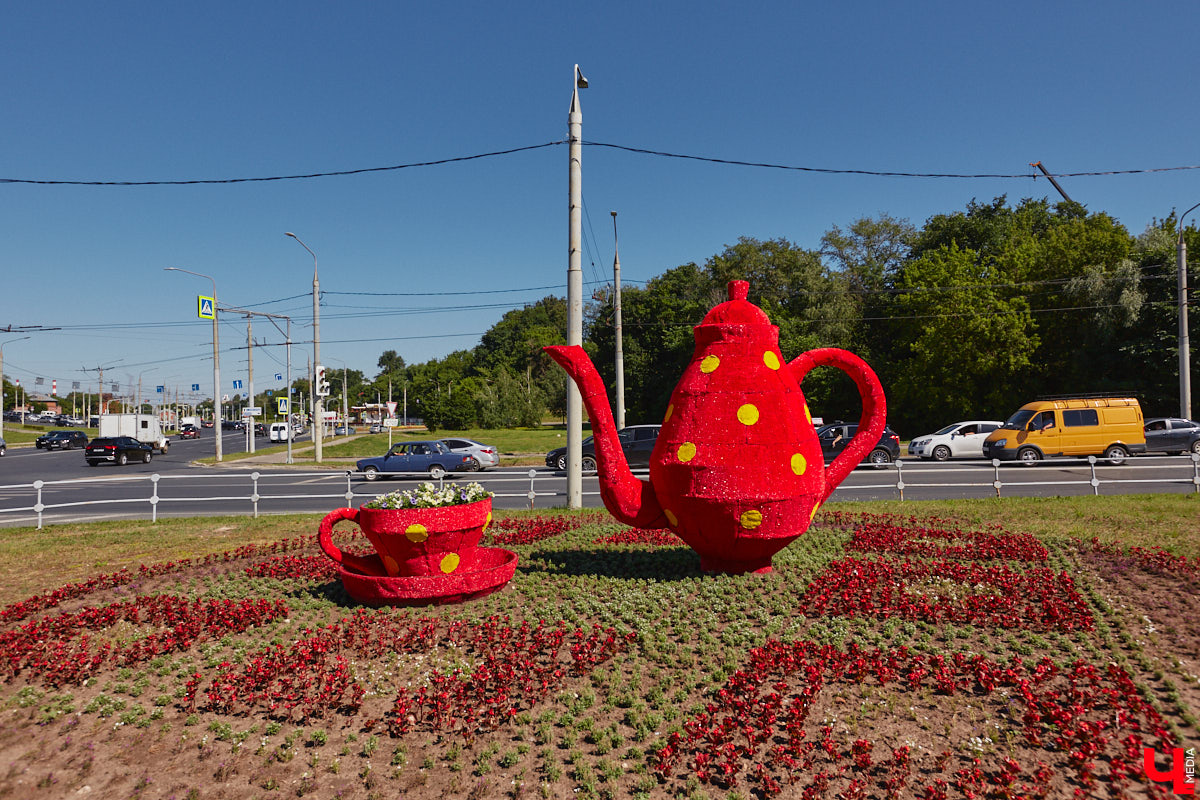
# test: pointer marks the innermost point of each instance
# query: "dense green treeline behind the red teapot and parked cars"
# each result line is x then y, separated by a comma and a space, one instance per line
968, 317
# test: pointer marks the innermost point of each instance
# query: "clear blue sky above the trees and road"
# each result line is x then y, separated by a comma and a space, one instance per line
221, 91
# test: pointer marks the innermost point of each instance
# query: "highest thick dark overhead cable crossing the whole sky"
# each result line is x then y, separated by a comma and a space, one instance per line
645, 152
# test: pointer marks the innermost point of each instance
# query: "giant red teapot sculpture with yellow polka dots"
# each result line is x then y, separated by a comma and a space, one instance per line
737, 470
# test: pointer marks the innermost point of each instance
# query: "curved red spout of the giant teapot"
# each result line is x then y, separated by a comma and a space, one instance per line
629, 500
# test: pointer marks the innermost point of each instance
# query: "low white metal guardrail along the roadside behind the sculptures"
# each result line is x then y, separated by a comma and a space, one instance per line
1190, 476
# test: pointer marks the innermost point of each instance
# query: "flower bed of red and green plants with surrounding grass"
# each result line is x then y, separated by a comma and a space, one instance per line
891, 653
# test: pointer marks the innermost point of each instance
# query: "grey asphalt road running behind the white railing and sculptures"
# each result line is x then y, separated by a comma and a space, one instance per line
71, 491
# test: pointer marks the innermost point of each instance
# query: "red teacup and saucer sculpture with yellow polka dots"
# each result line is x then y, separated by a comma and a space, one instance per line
423, 556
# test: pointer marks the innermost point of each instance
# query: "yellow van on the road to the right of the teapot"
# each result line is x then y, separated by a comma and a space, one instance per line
1111, 428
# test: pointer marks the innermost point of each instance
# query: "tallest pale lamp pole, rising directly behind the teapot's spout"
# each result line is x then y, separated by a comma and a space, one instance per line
575, 294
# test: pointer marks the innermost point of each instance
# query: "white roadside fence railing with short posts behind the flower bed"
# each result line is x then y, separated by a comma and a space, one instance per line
154, 491
